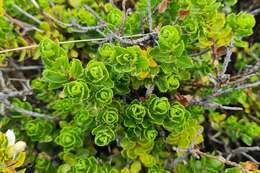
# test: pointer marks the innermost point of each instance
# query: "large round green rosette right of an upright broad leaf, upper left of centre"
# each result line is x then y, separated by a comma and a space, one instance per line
96, 73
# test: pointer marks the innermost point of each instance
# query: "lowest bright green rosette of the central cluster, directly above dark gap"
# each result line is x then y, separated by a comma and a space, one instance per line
103, 135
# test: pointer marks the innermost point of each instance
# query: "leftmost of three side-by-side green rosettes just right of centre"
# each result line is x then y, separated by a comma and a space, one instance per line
135, 114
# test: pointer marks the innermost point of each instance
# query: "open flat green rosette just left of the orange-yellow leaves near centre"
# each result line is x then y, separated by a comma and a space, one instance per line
125, 59
